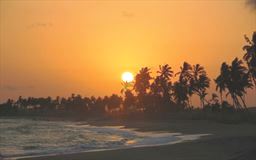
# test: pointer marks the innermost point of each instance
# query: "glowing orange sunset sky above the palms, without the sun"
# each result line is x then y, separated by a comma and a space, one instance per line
50, 48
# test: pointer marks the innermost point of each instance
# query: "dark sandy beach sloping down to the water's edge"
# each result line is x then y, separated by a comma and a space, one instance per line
225, 142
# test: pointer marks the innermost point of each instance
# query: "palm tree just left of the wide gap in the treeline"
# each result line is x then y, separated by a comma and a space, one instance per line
199, 82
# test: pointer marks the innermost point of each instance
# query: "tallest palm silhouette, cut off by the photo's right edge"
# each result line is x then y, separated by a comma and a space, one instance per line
250, 56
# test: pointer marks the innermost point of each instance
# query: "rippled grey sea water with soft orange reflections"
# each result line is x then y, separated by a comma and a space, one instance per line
25, 137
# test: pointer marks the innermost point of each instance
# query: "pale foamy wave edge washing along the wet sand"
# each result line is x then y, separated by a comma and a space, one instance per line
167, 135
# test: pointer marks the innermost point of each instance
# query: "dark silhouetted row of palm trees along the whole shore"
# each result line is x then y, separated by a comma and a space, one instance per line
159, 94
